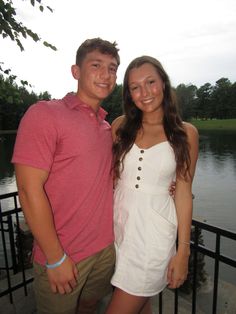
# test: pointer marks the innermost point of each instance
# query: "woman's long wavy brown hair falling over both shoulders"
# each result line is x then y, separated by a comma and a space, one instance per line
132, 123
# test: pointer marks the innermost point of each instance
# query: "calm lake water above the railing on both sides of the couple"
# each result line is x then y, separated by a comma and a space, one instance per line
214, 184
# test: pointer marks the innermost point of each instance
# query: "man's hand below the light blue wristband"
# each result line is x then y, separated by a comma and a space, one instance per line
63, 278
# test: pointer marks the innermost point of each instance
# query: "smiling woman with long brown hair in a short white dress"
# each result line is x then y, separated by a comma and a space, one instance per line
152, 146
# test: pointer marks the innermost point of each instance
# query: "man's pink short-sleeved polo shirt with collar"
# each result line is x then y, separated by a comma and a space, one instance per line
67, 139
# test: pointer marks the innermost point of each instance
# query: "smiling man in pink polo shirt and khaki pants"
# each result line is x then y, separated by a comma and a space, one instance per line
63, 160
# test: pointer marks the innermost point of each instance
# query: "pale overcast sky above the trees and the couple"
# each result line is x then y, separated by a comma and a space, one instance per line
194, 40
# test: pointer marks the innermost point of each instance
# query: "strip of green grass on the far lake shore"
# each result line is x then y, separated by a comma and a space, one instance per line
224, 124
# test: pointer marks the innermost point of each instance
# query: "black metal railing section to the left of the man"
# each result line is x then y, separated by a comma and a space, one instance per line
11, 247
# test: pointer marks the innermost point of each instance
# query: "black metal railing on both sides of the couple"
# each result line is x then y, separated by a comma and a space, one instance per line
12, 242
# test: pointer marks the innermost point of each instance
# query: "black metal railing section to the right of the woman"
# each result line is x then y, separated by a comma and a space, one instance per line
199, 248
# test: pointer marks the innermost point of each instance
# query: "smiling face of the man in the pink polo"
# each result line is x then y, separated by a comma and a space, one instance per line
96, 77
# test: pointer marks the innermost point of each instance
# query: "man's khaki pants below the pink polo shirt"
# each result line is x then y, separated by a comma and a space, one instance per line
95, 273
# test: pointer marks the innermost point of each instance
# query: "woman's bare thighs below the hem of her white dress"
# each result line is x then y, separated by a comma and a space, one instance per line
125, 303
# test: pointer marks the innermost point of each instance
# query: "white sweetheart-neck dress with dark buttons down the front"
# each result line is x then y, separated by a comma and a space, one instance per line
145, 221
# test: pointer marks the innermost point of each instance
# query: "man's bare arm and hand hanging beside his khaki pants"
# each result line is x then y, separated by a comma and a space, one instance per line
39, 216
